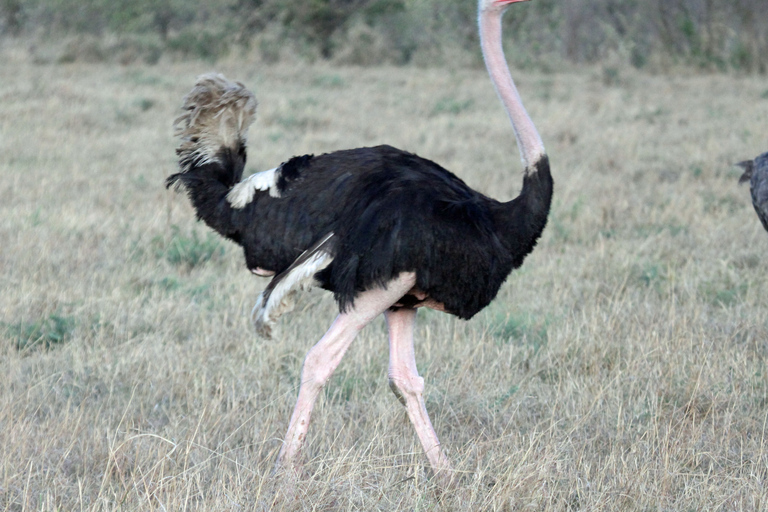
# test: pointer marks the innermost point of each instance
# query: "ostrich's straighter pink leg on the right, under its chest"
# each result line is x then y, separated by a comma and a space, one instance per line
408, 386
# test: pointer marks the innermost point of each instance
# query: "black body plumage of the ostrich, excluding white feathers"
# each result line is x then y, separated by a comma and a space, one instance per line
391, 212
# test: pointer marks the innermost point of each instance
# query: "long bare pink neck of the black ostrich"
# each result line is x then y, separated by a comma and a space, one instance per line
528, 139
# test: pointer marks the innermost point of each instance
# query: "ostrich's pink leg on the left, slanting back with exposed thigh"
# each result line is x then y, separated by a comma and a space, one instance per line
325, 356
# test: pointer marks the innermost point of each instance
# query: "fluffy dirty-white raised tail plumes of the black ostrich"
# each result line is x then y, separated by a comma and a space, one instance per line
217, 114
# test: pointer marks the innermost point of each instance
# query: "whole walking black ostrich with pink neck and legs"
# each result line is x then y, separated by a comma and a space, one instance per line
385, 230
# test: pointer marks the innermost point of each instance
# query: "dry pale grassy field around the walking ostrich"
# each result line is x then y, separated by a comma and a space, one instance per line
622, 368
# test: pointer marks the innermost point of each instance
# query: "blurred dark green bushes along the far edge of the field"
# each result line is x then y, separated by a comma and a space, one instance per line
707, 34
